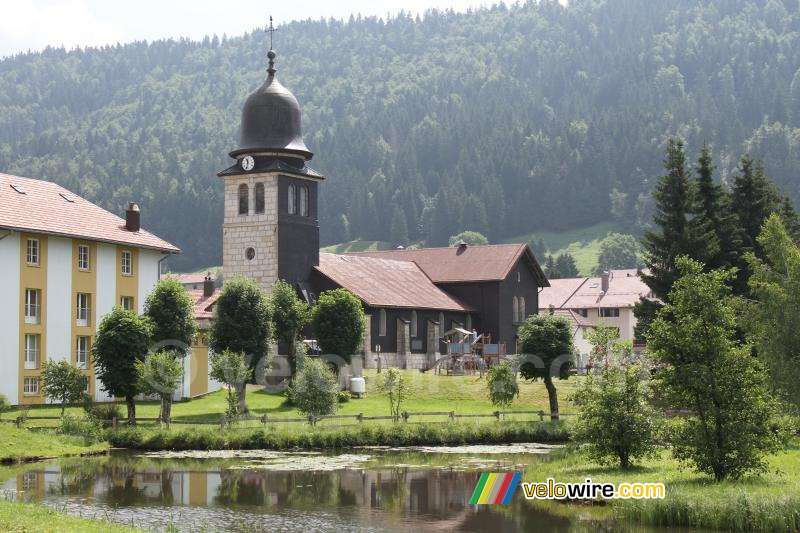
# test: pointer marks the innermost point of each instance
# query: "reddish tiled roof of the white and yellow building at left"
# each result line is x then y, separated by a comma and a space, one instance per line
43, 207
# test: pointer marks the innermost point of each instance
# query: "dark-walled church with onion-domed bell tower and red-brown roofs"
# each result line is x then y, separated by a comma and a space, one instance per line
414, 299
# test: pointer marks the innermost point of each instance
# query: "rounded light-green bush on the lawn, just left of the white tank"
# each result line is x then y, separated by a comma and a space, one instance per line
315, 391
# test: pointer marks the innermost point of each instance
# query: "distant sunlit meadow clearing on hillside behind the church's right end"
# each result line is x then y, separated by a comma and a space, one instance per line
582, 243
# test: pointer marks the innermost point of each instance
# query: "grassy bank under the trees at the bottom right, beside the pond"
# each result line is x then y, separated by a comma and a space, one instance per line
767, 503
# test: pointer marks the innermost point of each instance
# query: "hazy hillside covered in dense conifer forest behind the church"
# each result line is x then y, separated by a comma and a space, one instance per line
504, 121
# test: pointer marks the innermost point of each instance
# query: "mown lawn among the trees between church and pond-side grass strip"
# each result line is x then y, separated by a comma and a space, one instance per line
429, 392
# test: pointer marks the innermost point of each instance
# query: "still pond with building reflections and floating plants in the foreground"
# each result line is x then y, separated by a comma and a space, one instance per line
364, 490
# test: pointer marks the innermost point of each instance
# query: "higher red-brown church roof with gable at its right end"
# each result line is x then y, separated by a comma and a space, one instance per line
463, 264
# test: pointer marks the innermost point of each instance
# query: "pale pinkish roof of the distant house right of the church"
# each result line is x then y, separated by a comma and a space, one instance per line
625, 288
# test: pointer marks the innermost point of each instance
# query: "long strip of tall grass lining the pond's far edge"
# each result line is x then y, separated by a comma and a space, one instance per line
398, 434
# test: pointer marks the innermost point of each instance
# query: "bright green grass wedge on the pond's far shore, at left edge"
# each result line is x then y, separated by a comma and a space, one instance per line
21, 444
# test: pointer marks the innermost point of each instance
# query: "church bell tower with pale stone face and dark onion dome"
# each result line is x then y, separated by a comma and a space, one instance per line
270, 228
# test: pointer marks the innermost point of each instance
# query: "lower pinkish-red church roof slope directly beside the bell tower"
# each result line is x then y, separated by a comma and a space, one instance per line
386, 283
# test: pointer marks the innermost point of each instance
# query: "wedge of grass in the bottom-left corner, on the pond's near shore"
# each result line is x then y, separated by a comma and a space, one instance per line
20, 517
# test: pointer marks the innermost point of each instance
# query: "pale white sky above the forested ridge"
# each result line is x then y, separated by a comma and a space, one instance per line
34, 24
